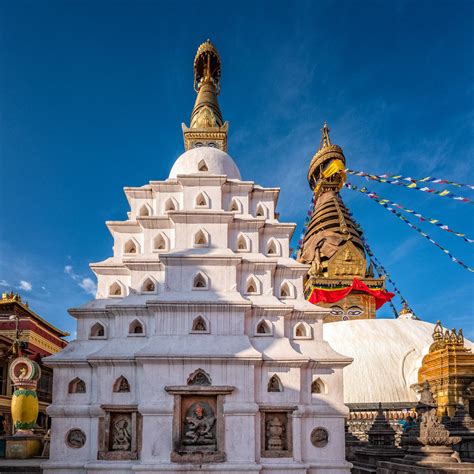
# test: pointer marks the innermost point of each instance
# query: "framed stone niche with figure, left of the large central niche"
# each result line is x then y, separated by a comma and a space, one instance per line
120, 433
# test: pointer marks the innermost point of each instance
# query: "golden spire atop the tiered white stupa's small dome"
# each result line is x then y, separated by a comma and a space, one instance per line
207, 127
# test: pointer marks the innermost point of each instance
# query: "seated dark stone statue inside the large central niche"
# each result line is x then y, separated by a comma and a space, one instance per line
199, 426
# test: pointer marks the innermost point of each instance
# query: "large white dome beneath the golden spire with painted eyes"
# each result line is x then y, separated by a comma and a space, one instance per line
387, 356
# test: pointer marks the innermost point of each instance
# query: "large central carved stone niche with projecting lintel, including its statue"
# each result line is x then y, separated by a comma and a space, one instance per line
198, 422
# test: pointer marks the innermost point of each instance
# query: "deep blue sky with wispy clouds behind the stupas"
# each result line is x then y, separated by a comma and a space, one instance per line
92, 96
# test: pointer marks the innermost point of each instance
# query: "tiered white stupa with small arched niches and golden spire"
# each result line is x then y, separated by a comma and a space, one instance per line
199, 352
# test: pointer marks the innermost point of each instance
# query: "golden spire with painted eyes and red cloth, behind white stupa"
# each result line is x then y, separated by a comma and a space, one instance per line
333, 244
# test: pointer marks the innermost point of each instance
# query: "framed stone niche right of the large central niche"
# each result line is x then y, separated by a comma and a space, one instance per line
276, 432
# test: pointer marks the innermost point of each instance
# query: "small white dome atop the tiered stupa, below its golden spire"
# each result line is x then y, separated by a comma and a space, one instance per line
216, 161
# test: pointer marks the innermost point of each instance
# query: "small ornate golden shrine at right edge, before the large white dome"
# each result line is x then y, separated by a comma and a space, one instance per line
449, 369
